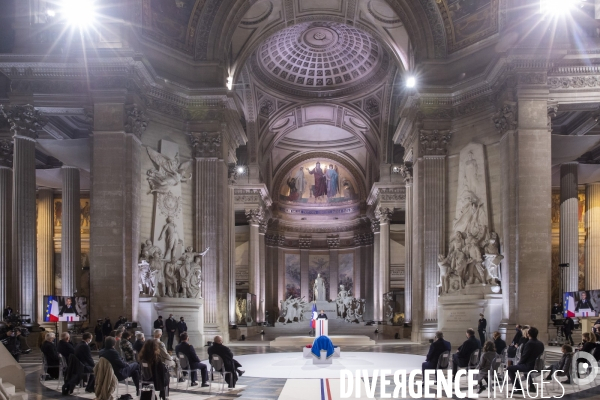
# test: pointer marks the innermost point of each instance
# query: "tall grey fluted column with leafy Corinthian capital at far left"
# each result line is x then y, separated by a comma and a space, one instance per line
25, 121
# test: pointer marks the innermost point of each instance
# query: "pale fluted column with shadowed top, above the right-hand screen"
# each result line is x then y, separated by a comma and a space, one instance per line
569, 227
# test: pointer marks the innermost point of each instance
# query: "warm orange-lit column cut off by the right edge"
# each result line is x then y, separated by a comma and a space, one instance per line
592, 239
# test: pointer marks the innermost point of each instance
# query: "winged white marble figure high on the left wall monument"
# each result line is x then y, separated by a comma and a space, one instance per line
169, 172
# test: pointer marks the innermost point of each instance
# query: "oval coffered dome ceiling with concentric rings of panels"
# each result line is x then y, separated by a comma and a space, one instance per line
317, 57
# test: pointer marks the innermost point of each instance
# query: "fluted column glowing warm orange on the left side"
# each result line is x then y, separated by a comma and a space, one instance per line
45, 250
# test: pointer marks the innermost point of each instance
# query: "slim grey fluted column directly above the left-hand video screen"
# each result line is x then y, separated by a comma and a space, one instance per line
71, 230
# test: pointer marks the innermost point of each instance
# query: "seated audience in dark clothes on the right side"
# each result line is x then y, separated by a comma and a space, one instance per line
521, 354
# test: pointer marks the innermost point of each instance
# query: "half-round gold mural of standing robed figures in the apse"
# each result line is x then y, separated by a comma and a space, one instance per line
319, 181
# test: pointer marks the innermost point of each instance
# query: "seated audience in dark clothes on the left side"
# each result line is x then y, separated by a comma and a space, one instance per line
132, 356
